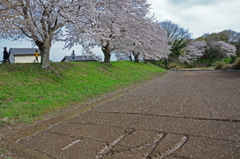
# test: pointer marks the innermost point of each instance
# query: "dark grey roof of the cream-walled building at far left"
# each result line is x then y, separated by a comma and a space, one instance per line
23, 51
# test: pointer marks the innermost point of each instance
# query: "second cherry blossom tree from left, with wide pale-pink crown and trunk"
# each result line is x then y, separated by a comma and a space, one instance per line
111, 28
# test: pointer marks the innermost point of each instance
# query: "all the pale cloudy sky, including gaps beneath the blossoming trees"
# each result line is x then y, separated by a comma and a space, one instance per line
199, 16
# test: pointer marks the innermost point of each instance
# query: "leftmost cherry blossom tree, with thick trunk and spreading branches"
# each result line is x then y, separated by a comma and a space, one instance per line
42, 22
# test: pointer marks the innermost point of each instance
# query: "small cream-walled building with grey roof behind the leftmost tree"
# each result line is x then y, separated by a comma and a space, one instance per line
23, 55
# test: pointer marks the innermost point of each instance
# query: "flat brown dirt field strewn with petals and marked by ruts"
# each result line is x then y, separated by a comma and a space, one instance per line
188, 114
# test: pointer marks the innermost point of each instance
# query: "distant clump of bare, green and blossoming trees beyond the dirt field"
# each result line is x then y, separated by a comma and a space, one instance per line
209, 46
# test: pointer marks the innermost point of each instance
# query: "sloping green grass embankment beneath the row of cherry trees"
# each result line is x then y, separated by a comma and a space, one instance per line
29, 92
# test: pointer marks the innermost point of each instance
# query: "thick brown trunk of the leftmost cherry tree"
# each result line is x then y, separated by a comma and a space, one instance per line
44, 49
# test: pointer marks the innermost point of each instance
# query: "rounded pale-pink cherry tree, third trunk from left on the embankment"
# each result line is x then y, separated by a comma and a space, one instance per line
144, 38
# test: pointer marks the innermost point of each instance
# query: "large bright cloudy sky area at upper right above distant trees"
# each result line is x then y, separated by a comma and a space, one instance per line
200, 16
